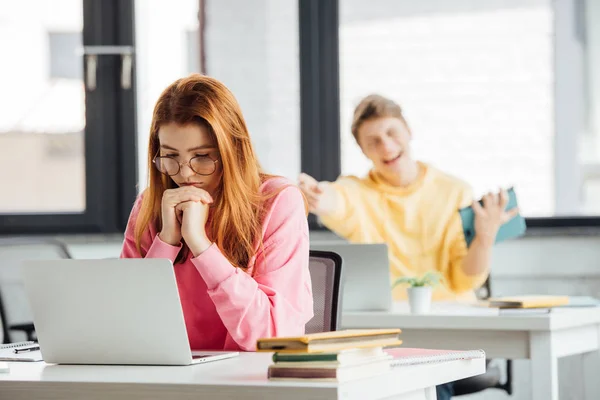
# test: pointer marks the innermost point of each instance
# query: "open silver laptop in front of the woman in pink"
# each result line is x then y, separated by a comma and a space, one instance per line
110, 311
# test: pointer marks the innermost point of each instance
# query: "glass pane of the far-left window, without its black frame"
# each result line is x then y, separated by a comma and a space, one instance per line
43, 119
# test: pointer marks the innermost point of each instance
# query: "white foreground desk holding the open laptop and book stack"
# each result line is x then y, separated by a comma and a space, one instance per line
238, 378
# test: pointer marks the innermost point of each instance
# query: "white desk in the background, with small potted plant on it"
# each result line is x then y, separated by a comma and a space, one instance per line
540, 338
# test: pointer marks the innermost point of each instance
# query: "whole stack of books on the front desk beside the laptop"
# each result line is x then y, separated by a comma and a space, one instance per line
331, 356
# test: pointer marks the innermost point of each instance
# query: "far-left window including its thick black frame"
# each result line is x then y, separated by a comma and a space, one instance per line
64, 165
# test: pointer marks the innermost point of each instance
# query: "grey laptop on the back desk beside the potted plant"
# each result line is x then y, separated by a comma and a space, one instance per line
365, 275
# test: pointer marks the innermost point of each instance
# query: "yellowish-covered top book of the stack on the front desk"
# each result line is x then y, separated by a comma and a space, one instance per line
331, 341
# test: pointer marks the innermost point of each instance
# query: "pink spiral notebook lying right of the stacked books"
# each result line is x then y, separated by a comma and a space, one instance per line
402, 356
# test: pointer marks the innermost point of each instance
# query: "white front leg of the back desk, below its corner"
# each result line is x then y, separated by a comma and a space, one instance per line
544, 367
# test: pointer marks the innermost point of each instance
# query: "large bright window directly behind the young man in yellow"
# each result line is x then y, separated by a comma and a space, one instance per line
491, 90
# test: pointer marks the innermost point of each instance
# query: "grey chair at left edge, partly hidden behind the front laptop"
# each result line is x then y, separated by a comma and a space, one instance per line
15, 314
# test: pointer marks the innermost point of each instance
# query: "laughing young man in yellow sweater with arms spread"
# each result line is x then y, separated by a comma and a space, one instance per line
409, 205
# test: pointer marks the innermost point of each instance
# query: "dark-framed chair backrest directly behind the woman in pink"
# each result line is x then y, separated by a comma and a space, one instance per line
326, 276
